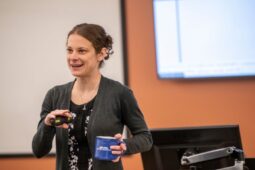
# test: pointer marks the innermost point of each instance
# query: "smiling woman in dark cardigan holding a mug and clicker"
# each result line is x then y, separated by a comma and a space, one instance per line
100, 107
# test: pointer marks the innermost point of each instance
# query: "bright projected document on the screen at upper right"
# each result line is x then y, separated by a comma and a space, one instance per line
204, 38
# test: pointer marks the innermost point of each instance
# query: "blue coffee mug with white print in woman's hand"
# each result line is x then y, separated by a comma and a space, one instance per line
102, 147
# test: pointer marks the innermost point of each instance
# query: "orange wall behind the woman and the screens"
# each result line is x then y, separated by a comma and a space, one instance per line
171, 103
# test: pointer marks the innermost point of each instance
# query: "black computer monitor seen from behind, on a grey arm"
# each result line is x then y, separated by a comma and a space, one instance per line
170, 145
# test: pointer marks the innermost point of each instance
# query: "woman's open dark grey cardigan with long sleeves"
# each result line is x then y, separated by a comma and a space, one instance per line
114, 107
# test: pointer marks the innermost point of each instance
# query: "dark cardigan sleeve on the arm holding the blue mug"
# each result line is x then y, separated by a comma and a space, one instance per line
141, 139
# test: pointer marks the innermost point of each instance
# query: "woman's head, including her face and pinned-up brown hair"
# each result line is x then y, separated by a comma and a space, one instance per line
91, 51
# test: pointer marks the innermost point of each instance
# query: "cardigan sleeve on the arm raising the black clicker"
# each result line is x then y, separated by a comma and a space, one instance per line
42, 140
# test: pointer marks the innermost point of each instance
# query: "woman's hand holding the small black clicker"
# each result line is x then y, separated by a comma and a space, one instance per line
52, 115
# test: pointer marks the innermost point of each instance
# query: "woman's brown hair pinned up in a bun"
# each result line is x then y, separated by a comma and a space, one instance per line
96, 35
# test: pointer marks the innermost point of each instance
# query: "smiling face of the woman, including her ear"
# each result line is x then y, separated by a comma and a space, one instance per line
82, 59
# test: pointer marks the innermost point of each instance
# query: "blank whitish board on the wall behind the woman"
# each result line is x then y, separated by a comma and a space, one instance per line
33, 58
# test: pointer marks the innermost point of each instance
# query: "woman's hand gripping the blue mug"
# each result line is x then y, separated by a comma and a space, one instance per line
118, 149
